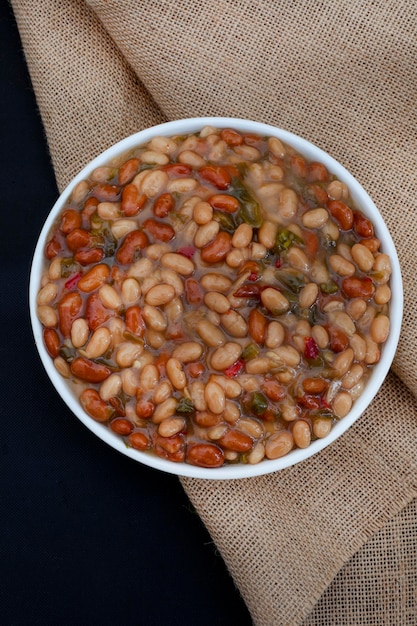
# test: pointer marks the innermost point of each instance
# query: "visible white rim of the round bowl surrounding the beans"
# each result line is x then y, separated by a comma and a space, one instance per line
362, 201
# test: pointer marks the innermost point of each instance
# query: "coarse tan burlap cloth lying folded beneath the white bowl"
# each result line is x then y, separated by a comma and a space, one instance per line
332, 541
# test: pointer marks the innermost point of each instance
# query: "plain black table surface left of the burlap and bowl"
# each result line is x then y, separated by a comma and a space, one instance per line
87, 535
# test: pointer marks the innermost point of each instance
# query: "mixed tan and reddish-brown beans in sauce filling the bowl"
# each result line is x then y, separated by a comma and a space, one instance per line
215, 298
